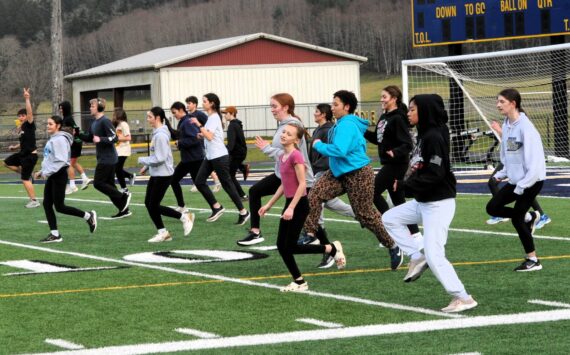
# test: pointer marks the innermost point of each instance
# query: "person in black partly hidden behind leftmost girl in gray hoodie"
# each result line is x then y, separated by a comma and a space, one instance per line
76, 146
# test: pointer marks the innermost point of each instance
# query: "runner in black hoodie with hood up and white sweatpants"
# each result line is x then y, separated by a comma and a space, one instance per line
432, 184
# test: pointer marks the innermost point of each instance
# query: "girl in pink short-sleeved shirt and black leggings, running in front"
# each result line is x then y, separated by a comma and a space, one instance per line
294, 187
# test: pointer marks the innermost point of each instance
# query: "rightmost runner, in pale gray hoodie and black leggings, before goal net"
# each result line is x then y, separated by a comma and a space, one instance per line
522, 156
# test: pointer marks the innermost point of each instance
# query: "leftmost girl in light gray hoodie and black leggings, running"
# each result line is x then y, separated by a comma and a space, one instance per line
57, 156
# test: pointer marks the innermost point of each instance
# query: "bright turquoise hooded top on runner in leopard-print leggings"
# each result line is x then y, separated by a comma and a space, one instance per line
347, 147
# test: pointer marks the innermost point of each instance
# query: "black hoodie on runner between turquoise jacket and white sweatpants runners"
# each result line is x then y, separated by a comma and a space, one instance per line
392, 133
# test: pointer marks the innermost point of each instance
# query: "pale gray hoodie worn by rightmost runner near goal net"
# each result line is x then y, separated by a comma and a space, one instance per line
522, 154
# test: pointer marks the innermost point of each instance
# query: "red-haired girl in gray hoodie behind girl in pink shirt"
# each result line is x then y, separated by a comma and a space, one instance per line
283, 109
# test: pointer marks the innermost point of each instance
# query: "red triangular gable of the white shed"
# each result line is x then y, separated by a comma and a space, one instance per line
260, 51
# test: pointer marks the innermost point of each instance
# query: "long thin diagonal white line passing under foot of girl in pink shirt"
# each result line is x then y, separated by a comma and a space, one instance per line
236, 280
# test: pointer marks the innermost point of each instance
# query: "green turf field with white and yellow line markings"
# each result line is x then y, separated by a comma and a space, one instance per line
194, 298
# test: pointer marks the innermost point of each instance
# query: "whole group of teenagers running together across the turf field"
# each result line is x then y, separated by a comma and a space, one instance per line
312, 173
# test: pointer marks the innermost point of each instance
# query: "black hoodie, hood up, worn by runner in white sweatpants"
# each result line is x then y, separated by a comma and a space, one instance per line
430, 176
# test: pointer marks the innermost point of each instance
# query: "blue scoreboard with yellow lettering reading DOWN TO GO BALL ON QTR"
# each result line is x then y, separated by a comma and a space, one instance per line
441, 22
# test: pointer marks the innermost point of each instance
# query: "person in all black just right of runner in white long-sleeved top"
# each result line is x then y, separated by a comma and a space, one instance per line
237, 148
